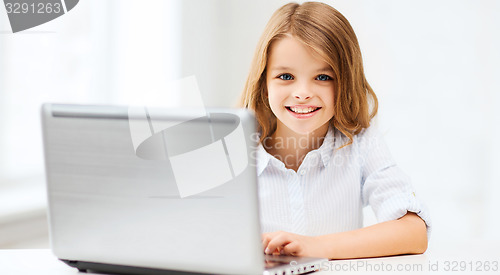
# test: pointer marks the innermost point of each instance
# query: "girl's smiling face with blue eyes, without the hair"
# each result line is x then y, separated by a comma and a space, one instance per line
300, 87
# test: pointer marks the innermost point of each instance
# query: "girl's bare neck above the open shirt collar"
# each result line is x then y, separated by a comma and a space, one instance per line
291, 147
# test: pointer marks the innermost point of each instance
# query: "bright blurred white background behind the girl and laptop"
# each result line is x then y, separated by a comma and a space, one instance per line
433, 64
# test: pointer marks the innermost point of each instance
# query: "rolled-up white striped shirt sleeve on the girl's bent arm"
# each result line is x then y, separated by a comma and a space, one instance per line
385, 187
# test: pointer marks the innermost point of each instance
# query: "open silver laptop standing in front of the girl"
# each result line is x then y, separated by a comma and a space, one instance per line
138, 190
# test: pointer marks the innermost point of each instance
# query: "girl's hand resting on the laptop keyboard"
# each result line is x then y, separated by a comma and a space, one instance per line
286, 243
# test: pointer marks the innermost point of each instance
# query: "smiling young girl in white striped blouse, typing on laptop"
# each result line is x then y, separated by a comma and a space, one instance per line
319, 161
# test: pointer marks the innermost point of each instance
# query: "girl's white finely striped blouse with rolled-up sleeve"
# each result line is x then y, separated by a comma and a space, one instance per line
331, 186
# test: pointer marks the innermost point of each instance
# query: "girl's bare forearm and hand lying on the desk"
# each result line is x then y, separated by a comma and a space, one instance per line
406, 235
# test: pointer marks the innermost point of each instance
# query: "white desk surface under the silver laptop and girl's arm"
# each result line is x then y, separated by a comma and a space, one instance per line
444, 258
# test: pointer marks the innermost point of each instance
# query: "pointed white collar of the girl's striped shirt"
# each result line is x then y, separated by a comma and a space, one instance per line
265, 159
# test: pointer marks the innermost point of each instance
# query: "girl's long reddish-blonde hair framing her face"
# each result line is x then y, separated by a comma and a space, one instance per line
327, 32
